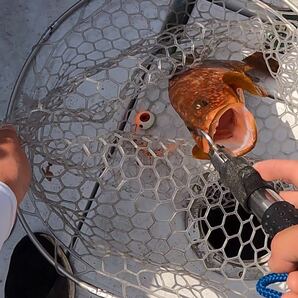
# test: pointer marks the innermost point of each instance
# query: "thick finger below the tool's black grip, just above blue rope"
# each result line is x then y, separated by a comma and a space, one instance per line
284, 250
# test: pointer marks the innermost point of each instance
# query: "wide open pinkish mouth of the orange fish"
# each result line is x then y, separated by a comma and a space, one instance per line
234, 127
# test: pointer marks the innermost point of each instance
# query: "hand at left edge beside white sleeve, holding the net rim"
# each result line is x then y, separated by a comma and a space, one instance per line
14, 165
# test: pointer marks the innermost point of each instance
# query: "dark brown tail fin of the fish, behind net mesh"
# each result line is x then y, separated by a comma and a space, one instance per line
257, 61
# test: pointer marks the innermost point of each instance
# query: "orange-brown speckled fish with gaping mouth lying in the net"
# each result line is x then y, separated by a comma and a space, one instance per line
210, 97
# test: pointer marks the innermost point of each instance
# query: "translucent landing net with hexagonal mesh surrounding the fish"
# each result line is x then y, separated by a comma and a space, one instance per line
136, 213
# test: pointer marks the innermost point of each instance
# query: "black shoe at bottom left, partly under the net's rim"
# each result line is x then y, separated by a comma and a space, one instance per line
30, 275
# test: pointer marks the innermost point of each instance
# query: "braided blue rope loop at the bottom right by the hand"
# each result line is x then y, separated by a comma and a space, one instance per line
266, 280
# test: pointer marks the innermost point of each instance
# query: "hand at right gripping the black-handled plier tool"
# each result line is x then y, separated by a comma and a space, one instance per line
284, 246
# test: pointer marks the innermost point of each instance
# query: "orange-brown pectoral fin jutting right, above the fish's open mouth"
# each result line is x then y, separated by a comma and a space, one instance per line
236, 79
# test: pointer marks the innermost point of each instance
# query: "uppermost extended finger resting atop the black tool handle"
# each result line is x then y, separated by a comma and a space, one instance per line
276, 169
